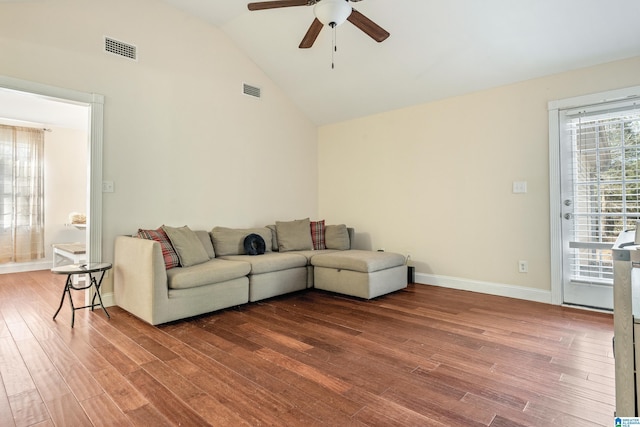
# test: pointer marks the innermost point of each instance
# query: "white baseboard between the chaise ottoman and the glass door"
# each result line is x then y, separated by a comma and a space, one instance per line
500, 289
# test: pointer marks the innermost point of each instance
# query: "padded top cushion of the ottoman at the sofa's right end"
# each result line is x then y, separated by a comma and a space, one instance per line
356, 260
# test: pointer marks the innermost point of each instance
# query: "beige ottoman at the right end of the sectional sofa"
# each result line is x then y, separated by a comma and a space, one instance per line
363, 274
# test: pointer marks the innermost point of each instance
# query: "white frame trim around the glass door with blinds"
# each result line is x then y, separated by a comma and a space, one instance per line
555, 202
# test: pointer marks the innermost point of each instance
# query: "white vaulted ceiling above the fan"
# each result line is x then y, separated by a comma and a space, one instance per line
437, 48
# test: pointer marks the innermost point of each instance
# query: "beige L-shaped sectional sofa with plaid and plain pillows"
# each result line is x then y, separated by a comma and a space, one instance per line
172, 273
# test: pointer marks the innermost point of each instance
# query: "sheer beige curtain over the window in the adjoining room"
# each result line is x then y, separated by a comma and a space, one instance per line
21, 194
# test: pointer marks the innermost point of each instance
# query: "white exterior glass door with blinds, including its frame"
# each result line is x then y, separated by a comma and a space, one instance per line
598, 191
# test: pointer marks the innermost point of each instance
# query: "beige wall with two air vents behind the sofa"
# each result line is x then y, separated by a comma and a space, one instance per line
182, 144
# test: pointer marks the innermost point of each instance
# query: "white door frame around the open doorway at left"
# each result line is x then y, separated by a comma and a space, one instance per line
95, 103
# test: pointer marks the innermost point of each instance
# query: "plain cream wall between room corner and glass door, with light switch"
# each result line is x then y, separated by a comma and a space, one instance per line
435, 180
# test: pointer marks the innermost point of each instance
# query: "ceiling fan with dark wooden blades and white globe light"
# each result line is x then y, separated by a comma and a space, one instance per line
327, 12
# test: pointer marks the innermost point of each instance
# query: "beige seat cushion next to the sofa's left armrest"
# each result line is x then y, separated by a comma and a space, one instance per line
206, 273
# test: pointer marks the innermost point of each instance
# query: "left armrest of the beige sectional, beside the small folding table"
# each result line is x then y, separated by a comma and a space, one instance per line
140, 278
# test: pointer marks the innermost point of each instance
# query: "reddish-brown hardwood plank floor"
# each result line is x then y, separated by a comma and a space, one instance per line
423, 356
